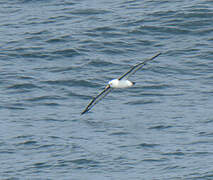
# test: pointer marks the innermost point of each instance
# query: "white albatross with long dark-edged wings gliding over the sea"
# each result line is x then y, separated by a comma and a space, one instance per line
121, 82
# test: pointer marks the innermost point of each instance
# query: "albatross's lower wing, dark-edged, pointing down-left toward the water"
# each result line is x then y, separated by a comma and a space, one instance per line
96, 99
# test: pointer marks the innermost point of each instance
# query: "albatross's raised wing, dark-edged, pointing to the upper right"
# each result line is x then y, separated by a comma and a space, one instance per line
138, 66
